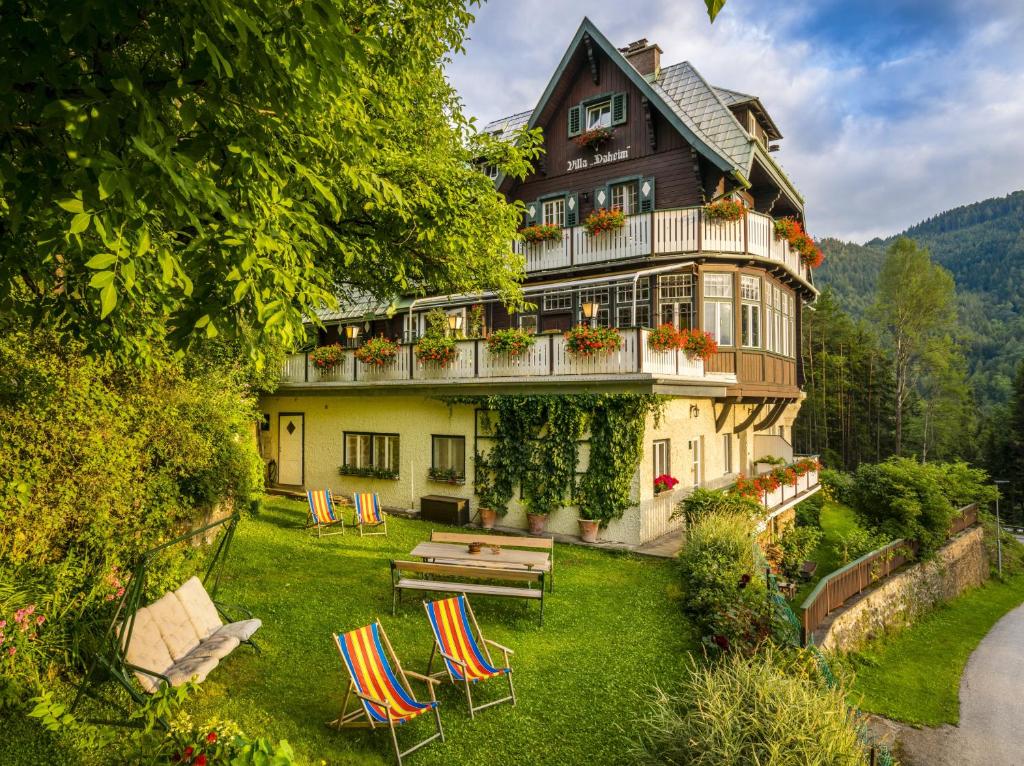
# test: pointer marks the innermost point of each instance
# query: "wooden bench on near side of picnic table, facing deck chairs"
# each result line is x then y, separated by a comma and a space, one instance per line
404, 578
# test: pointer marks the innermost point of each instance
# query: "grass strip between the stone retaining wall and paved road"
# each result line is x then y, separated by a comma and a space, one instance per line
914, 676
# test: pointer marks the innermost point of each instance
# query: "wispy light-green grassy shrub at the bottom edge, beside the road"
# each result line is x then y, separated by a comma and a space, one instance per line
769, 710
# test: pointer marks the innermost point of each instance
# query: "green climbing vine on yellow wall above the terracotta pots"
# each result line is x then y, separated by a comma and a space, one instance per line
537, 447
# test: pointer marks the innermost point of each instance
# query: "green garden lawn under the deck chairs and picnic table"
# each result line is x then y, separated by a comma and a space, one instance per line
613, 629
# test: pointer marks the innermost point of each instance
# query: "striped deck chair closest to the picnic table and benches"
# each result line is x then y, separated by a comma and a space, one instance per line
453, 621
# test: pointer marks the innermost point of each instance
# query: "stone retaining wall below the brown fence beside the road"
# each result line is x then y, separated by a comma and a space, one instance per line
900, 601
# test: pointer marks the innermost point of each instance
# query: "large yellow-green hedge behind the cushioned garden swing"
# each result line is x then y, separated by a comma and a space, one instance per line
100, 462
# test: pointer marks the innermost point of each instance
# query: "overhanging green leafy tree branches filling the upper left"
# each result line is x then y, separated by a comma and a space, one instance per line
198, 168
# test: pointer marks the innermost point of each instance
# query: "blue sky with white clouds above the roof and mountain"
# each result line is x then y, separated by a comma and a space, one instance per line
891, 111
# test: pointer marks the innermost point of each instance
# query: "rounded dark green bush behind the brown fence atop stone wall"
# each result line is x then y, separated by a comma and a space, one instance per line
903, 498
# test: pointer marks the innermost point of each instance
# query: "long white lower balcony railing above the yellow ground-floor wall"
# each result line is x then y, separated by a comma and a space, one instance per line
546, 359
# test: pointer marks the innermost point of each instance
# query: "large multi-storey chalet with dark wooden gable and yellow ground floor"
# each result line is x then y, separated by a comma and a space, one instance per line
677, 144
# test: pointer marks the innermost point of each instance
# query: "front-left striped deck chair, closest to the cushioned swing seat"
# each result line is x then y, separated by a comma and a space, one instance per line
383, 700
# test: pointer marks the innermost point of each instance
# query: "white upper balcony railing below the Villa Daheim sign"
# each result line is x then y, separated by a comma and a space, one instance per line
664, 233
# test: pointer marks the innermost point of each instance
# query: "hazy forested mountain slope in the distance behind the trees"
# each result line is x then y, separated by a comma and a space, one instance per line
984, 246
